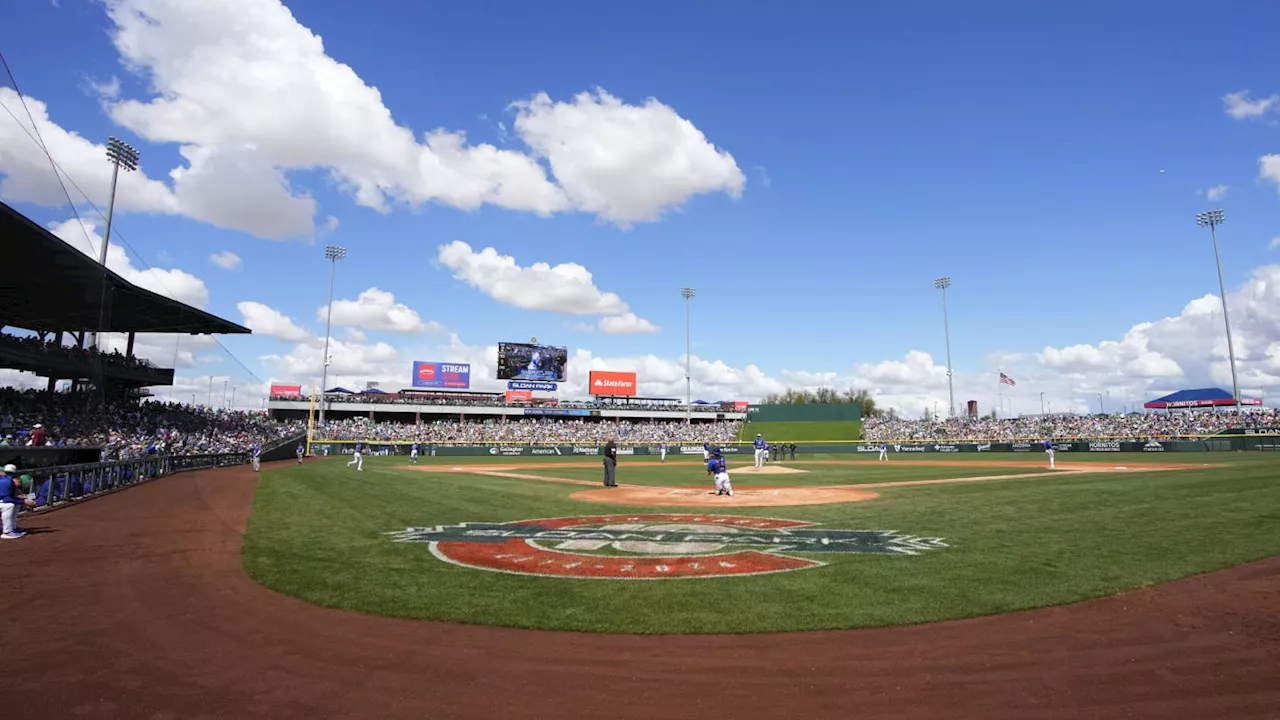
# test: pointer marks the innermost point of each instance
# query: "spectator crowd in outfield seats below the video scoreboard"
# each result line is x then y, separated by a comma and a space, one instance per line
528, 430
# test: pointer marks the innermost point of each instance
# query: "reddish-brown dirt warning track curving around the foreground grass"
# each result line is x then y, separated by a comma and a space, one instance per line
135, 607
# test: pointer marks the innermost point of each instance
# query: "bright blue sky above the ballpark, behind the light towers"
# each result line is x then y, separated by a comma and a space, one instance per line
1017, 149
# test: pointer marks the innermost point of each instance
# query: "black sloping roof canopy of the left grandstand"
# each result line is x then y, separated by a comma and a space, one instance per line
52, 286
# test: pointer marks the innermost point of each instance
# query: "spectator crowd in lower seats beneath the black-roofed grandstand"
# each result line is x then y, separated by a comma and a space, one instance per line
131, 430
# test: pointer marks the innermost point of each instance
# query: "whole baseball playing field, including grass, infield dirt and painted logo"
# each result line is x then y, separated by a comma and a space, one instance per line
833, 543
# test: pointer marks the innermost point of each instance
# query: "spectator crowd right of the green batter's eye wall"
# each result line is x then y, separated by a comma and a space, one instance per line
1137, 426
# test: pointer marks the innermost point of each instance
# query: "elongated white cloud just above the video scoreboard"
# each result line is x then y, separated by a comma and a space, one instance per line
568, 289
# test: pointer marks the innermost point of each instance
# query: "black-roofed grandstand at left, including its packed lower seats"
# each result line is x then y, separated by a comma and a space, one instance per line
53, 300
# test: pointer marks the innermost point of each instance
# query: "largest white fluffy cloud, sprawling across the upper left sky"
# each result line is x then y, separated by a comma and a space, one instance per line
216, 74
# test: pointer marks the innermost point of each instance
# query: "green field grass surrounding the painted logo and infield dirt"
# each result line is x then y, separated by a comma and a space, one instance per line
317, 534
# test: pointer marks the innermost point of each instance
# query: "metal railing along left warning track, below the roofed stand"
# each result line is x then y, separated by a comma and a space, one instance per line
58, 486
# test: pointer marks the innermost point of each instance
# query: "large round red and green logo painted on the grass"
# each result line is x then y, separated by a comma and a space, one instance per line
652, 548
